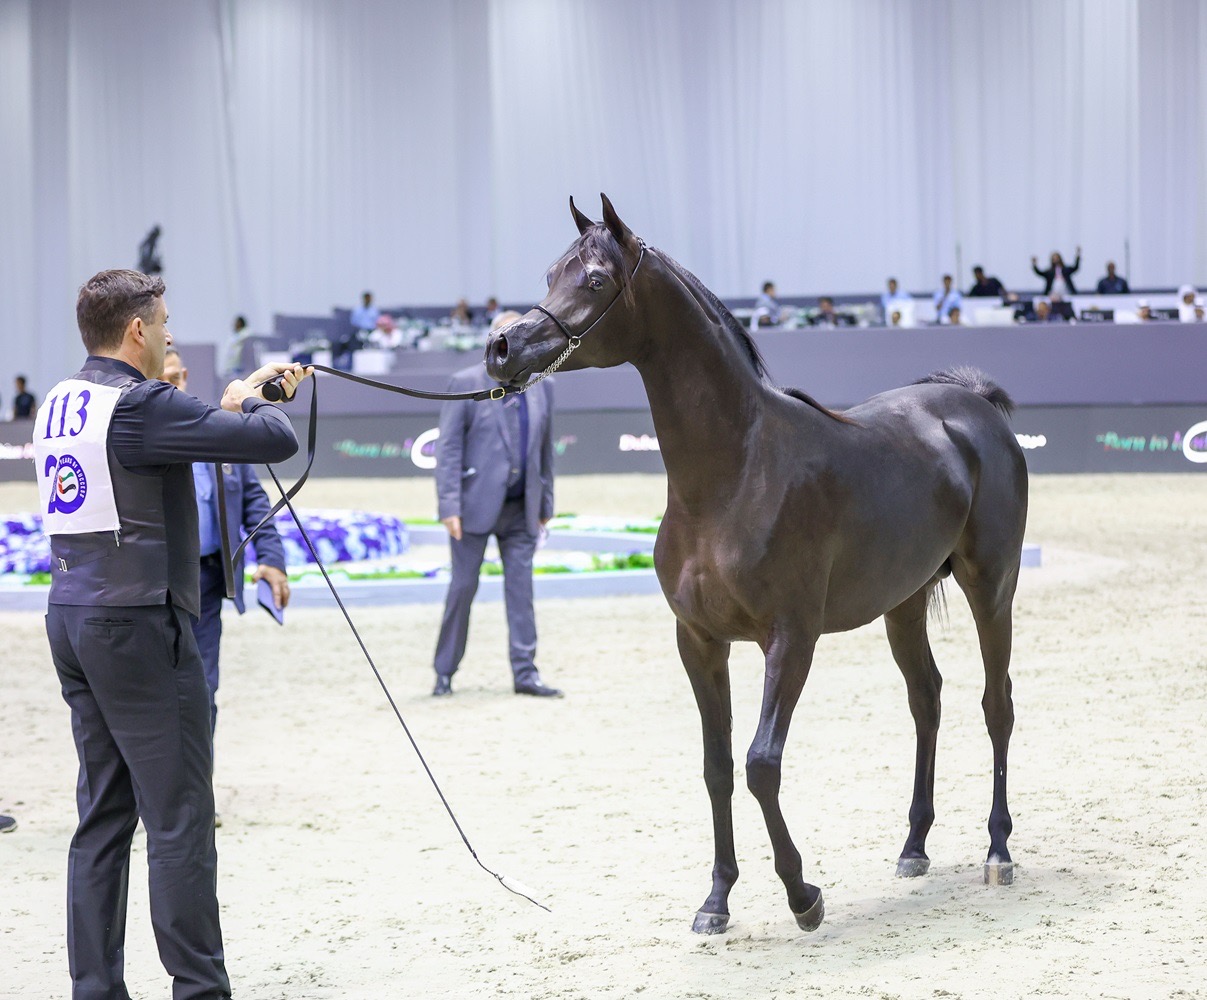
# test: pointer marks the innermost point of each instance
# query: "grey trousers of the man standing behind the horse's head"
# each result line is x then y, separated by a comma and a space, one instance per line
516, 548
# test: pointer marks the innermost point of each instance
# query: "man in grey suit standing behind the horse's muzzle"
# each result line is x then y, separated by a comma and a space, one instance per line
494, 476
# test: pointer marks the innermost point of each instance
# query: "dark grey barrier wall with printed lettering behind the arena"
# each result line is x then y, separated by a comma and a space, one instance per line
1092, 399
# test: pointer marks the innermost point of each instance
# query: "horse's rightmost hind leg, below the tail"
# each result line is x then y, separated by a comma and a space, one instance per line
990, 598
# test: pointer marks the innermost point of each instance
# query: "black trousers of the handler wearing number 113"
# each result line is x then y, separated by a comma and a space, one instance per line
141, 718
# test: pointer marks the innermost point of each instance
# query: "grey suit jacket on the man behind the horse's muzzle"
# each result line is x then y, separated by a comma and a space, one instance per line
473, 457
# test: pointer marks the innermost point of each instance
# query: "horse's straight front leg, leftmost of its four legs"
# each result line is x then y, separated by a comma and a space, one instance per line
708, 668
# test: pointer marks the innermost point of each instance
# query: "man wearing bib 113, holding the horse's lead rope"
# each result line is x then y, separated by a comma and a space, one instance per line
114, 452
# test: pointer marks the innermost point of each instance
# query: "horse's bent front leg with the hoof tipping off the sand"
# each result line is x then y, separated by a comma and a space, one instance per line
789, 659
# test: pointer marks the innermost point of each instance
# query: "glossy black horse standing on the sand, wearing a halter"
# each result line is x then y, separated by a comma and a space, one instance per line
786, 521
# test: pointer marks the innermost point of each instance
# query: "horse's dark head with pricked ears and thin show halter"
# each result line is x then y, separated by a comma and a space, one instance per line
585, 311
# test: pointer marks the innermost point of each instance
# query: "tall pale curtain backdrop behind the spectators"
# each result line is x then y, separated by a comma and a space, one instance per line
299, 151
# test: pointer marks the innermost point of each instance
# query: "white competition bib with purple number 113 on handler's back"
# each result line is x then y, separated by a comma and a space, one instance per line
72, 458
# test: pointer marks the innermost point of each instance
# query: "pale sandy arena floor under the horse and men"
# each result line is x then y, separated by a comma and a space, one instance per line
343, 878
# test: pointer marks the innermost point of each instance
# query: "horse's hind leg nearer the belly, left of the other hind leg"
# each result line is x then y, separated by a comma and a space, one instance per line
906, 625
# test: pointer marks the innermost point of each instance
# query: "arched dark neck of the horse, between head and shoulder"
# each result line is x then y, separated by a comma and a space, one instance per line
704, 394
